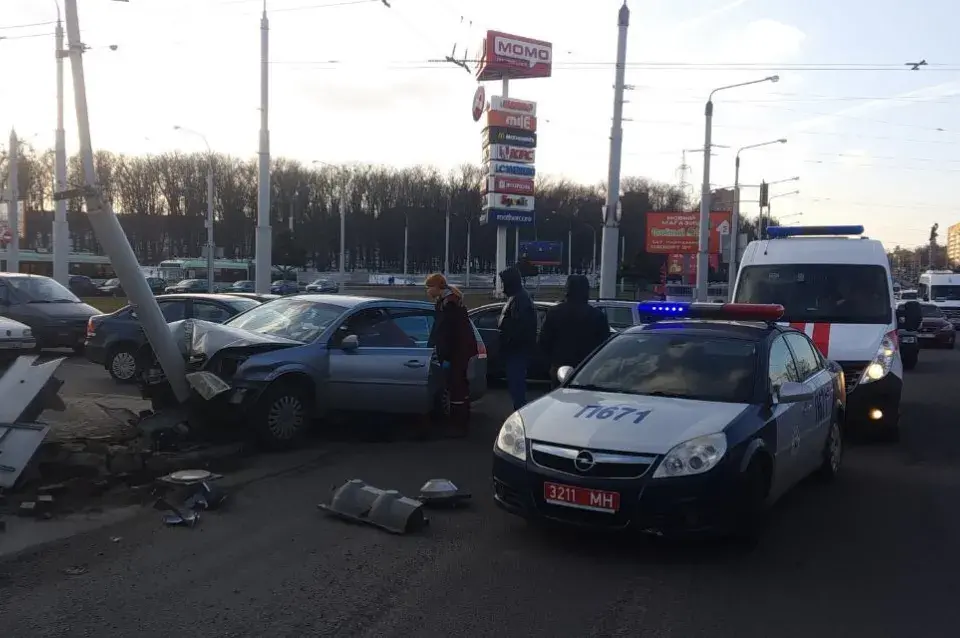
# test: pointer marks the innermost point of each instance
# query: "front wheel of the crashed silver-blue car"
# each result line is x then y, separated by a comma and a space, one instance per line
284, 414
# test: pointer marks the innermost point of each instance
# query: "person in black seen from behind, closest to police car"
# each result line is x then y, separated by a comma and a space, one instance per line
573, 328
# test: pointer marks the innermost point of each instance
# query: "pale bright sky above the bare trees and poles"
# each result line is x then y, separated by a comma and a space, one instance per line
353, 80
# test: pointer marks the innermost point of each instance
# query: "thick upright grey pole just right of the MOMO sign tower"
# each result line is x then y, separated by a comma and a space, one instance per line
611, 232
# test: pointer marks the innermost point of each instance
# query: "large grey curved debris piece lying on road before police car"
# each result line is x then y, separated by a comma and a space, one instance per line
387, 509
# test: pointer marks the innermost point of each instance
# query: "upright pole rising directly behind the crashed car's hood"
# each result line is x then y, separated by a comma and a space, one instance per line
264, 246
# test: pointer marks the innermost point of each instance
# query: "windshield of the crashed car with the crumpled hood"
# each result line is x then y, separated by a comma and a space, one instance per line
297, 319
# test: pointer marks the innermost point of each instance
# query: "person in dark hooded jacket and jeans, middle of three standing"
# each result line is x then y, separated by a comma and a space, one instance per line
517, 329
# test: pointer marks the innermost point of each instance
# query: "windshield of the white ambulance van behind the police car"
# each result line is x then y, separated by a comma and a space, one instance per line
820, 293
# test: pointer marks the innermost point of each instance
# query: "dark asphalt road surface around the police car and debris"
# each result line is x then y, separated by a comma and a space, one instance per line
875, 554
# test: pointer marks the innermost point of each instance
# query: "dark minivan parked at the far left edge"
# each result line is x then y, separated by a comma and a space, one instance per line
56, 316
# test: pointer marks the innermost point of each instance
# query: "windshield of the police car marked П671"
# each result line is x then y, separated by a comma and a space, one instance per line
704, 368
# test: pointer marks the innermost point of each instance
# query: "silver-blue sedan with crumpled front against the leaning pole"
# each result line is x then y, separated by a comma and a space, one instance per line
279, 366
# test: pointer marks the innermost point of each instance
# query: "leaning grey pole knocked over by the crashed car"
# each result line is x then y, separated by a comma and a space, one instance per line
109, 233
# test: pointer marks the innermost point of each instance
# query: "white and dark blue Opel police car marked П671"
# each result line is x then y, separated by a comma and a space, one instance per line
693, 423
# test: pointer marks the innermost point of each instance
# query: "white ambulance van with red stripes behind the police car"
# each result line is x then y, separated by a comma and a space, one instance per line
836, 287
